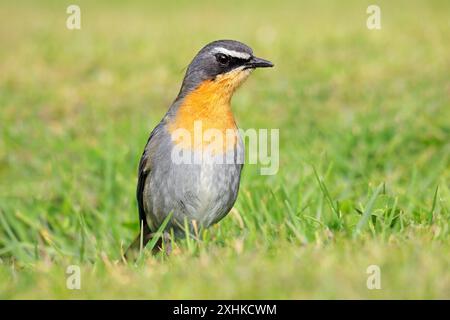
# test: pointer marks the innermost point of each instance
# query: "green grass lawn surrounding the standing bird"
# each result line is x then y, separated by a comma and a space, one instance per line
364, 149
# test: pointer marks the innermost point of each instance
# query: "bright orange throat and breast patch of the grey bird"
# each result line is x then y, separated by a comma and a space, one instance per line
206, 111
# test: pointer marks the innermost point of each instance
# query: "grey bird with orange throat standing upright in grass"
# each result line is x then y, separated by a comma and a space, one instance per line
185, 181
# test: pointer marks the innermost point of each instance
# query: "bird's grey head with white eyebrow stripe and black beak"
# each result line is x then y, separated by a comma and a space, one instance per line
221, 59
